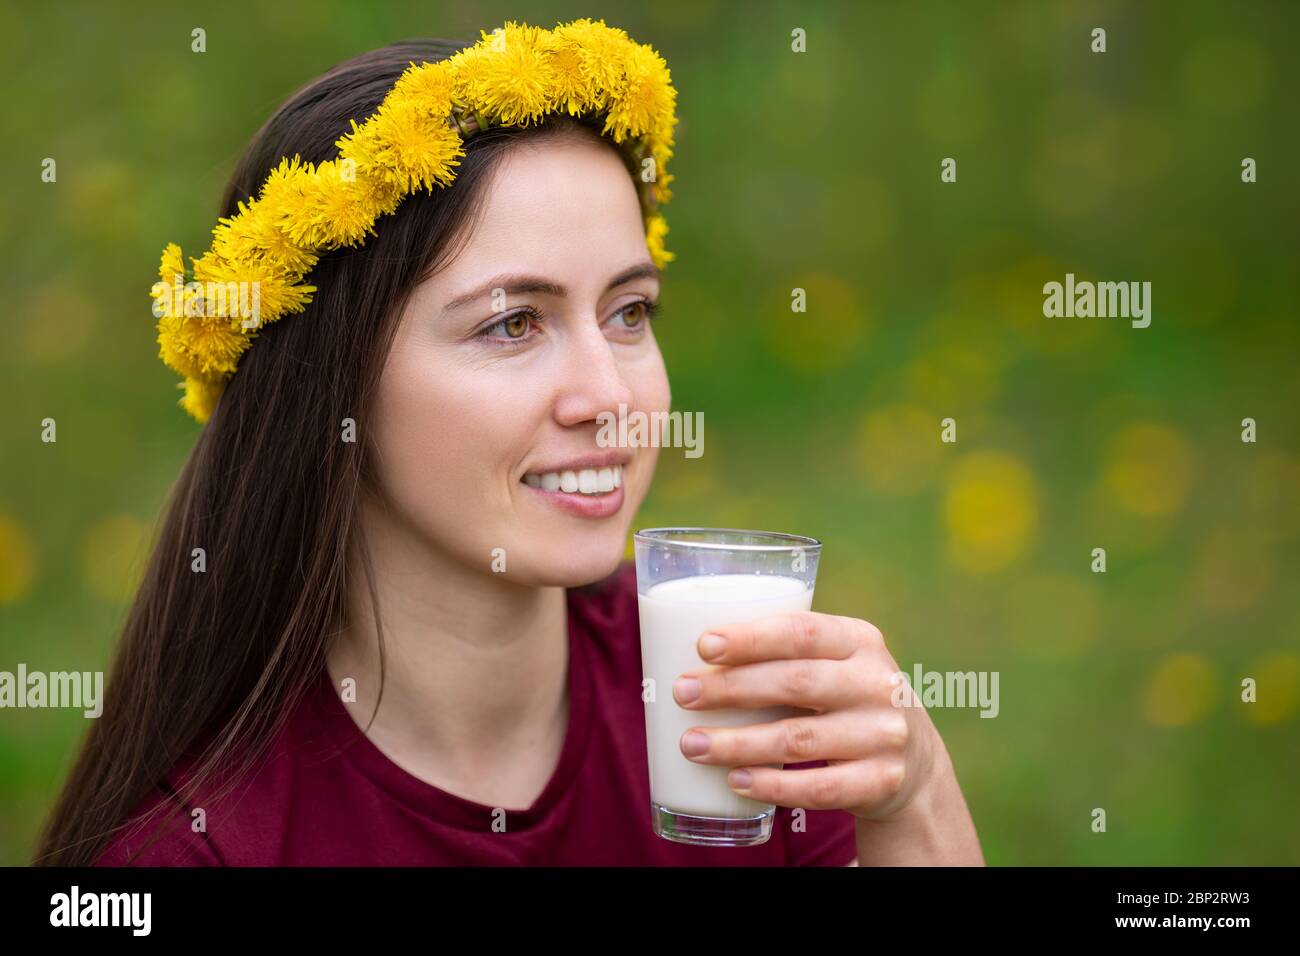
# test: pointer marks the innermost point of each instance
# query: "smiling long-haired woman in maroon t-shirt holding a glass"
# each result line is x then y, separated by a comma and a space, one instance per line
372, 630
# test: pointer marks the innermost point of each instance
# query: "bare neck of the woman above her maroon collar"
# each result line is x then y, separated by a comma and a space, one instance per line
475, 668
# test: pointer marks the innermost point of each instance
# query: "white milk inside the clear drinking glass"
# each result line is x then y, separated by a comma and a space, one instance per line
674, 616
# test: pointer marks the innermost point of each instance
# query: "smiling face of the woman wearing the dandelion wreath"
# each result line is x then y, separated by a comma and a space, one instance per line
505, 358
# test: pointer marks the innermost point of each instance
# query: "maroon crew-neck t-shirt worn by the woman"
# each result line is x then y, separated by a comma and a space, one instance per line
327, 797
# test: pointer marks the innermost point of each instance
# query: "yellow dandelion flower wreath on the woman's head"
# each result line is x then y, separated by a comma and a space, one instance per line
513, 77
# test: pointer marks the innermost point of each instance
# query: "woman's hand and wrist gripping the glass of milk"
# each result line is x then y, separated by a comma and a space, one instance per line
886, 764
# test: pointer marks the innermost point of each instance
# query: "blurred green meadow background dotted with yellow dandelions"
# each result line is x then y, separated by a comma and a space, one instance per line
817, 171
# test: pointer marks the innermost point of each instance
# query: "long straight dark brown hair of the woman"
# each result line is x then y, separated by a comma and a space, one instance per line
210, 664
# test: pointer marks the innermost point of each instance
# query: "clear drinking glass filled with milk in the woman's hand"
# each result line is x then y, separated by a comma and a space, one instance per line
688, 582
